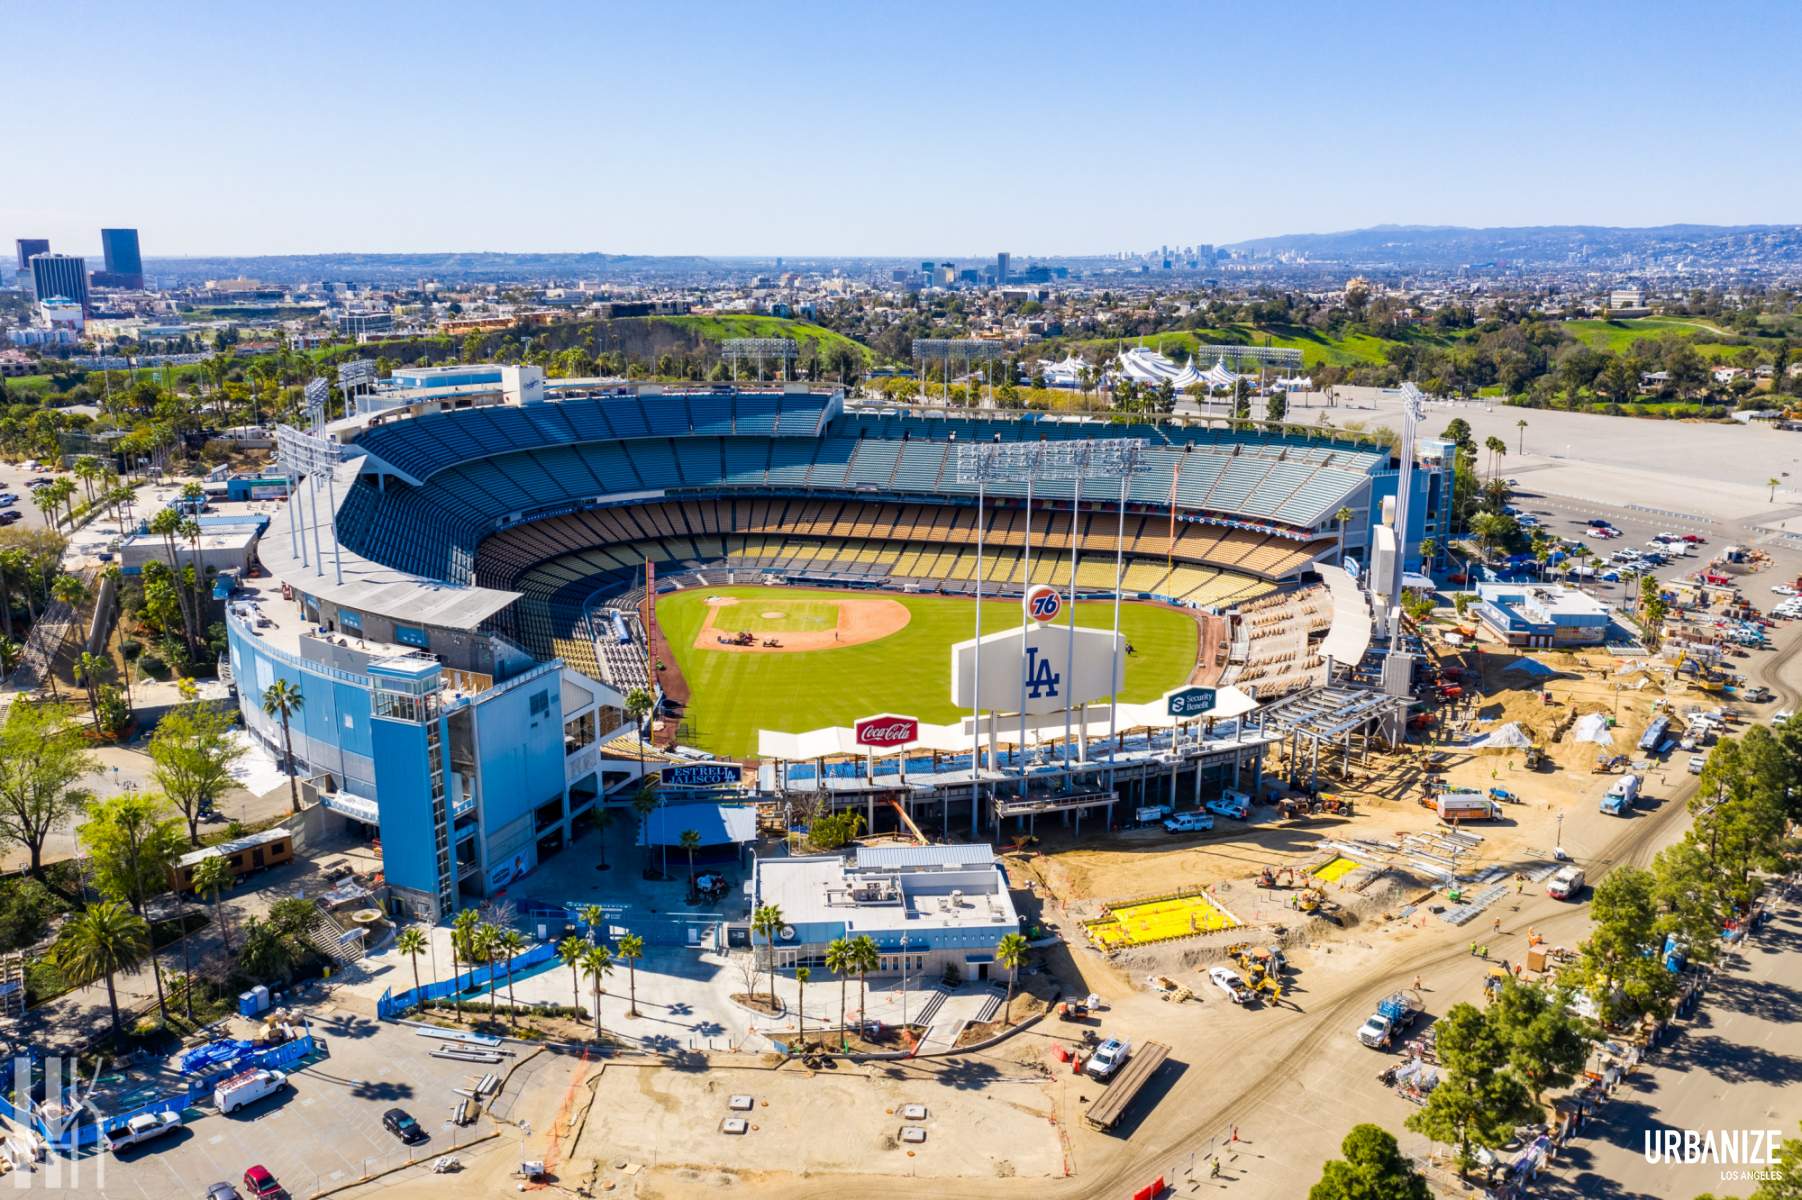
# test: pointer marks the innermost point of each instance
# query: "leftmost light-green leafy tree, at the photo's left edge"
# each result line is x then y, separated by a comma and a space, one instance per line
42, 767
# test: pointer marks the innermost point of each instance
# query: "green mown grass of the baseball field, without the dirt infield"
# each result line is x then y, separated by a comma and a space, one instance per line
909, 673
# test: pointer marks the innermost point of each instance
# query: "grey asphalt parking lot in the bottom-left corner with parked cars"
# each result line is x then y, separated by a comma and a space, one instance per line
322, 1132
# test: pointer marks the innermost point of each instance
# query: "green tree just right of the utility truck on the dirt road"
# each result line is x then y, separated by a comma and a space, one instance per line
1477, 1104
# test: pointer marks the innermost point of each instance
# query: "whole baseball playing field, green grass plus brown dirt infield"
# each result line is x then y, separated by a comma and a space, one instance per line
841, 657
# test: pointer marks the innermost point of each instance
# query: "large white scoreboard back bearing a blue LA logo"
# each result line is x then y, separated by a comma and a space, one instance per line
1037, 666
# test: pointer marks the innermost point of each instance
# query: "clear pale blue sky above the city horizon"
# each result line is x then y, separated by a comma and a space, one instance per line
882, 129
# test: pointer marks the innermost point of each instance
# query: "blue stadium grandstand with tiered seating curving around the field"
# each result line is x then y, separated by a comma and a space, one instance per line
444, 567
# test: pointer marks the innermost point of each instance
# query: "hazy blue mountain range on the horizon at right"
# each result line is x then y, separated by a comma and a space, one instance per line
1540, 246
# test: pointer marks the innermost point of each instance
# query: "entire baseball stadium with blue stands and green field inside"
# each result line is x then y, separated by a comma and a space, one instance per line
478, 567
